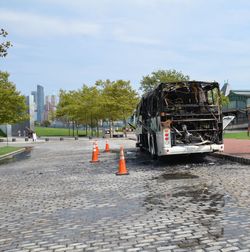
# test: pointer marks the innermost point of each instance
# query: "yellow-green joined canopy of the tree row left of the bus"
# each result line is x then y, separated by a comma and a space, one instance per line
106, 100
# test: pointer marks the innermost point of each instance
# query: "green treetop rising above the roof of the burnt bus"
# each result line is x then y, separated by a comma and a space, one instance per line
148, 82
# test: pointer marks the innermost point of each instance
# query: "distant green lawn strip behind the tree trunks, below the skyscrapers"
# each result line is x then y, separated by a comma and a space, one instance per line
43, 131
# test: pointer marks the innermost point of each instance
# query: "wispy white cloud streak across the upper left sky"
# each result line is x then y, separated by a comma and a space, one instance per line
29, 24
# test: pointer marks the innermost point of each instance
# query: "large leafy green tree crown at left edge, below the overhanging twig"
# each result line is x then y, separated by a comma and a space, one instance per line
12, 104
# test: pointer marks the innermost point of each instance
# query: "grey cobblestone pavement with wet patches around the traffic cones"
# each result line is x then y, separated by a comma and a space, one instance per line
56, 200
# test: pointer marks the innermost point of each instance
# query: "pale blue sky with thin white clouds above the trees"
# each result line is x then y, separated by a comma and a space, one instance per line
63, 44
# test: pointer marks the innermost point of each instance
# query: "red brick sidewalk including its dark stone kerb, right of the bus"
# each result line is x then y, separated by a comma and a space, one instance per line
236, 150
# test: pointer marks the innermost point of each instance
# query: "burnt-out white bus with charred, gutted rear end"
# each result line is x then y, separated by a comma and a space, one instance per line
180, 118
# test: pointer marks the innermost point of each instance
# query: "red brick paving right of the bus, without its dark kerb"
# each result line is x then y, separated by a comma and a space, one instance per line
237, 147
